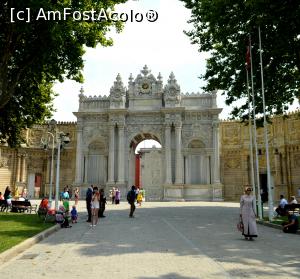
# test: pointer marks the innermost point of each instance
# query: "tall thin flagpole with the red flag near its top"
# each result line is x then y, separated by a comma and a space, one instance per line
260, 213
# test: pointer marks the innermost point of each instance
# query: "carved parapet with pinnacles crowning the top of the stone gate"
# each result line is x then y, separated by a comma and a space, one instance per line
147, 93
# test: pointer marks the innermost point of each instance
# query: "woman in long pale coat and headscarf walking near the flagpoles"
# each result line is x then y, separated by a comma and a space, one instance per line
247, 207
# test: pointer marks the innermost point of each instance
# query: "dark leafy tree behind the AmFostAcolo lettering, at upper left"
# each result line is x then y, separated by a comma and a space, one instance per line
35, 54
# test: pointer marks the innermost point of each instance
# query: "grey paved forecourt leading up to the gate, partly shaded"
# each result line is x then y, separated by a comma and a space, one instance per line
164, 240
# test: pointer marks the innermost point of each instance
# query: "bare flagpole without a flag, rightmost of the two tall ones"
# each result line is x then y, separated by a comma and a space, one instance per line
270, 198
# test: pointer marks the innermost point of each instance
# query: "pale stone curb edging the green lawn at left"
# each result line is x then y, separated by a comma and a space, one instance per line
21, 247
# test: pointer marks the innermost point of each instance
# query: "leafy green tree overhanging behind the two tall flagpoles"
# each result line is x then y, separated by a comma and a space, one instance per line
222, 27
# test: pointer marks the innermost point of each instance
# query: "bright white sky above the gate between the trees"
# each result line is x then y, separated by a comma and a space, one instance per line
161, 45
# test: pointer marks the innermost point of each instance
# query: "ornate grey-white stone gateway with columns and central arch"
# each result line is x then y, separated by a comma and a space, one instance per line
109, 128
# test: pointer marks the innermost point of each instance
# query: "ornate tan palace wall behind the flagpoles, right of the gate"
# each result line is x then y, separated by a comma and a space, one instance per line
284, 154
